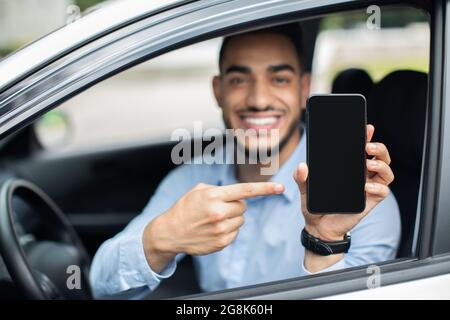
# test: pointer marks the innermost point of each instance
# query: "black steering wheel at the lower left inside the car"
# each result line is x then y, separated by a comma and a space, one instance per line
41, 250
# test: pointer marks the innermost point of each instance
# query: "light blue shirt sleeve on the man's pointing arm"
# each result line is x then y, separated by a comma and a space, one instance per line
120, 263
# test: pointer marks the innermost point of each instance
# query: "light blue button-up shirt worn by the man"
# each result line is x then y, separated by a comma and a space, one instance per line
267, 247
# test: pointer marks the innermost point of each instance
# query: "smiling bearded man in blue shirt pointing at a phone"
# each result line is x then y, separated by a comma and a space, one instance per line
240, 226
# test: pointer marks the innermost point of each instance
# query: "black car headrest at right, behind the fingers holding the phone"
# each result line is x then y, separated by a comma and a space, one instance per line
397, 108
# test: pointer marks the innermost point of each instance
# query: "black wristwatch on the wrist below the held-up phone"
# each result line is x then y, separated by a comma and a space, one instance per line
325, 248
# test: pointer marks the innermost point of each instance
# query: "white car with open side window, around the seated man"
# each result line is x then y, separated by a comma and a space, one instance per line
100, 188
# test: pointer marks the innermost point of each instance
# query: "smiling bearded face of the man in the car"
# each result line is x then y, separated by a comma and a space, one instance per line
261, 87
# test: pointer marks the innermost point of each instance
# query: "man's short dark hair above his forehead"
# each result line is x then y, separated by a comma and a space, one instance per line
292, 30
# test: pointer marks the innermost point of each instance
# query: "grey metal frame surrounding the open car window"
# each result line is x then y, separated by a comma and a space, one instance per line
267, 13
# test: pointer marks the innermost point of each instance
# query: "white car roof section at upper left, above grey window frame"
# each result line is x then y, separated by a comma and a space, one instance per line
109, 16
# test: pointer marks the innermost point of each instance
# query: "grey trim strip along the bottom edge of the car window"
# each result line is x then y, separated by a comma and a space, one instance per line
334, 283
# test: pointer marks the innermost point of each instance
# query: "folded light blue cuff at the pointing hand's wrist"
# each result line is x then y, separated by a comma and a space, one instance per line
134, 268
